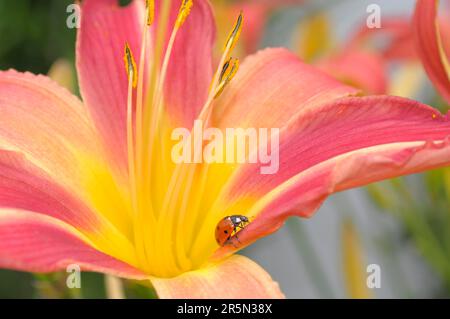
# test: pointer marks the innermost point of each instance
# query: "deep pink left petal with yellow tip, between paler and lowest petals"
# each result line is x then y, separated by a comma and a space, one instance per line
24, 186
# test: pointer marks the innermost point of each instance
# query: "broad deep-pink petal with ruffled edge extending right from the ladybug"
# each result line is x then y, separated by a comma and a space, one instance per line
344, 144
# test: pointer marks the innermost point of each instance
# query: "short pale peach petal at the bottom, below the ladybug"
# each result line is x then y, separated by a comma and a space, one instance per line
236, 277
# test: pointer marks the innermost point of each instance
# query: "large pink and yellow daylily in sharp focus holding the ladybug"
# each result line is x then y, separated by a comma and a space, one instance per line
93, 183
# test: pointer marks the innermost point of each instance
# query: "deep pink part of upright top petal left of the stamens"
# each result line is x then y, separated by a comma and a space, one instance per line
105, 28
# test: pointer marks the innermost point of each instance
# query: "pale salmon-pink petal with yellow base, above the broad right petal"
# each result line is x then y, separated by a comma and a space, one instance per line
252, 101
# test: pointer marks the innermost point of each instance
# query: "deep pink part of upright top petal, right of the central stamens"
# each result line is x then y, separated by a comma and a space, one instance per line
190, 68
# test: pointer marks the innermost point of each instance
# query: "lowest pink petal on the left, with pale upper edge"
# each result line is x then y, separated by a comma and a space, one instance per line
37, 243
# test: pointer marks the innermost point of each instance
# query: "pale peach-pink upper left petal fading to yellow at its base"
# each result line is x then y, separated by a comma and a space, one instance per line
52, 129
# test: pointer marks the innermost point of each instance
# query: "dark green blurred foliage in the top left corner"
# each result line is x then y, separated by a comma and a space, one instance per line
40, 38
